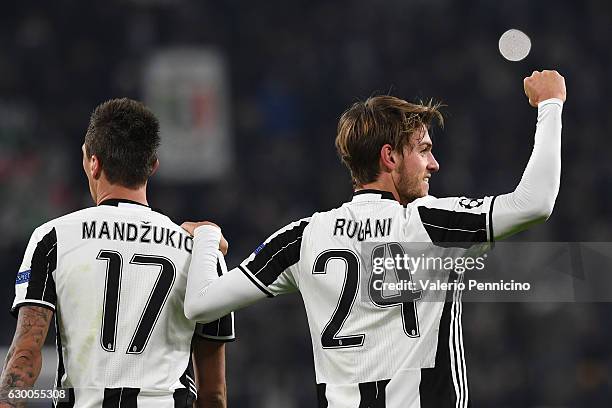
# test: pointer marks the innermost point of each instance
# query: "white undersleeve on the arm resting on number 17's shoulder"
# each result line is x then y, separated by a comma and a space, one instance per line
208, 296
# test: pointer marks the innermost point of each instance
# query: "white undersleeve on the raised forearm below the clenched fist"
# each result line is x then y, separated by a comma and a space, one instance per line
533, 199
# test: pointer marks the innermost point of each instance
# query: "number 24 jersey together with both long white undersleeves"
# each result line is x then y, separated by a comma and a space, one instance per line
369, 354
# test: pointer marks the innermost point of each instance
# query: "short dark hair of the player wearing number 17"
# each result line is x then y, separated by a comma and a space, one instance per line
124, 136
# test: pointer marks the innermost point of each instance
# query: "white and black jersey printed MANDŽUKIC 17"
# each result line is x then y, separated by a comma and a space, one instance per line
115, 275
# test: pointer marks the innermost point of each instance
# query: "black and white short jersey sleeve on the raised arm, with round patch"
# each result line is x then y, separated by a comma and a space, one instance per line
457, 219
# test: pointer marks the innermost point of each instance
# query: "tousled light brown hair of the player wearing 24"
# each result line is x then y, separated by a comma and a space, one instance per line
365, 127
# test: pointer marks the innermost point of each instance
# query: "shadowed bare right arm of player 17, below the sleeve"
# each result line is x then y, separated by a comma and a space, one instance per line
209, 368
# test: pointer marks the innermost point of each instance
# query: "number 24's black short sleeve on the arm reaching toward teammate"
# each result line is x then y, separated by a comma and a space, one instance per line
273, 266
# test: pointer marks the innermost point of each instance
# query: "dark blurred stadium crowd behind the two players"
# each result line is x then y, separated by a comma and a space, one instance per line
293, 67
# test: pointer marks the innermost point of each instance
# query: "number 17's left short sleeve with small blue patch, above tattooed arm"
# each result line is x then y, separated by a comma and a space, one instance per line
35, 284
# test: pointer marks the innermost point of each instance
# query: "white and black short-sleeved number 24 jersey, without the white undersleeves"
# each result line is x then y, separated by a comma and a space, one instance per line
368, 354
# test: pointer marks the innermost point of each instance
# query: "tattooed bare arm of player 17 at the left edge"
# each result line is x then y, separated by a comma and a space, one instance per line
24, 359
